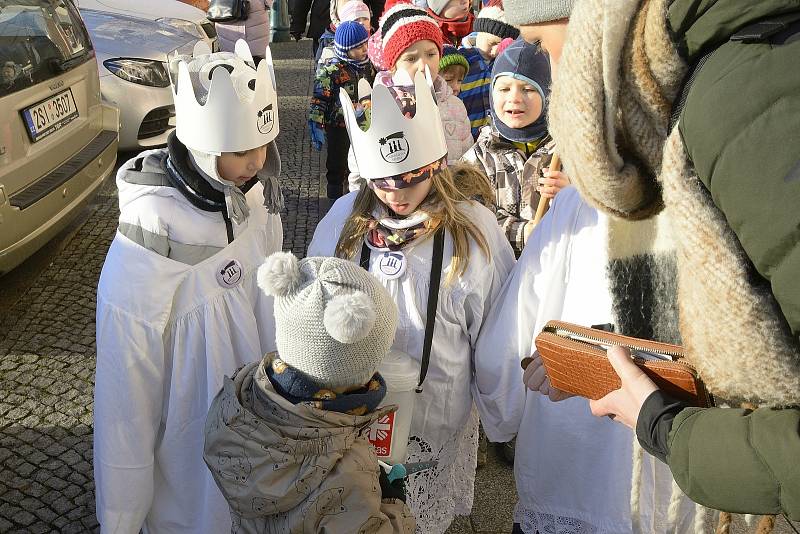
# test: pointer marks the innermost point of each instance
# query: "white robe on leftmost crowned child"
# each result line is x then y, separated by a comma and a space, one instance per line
167, 333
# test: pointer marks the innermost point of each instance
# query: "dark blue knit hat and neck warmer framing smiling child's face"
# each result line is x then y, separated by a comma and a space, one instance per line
529, 63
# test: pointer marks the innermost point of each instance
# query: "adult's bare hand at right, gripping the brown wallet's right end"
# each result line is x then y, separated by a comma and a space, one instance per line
624, 404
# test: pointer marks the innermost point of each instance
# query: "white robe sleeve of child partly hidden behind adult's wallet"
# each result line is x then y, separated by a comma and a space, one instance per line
509, 331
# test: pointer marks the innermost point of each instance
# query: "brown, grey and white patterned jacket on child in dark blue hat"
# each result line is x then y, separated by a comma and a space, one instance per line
513, 177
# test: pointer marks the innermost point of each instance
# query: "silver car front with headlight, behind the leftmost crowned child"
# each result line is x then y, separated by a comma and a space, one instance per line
132, 55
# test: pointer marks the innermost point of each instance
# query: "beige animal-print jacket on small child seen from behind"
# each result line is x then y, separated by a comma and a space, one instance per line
295, 468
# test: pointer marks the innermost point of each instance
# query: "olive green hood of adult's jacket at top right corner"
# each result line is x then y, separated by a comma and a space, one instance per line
698, 26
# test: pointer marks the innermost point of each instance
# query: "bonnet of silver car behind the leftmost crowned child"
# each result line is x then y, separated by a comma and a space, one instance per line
115, 35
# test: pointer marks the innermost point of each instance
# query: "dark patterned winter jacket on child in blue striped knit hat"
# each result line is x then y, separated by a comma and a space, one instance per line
333, 76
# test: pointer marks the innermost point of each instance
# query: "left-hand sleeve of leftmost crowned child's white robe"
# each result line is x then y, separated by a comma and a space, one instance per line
128, 405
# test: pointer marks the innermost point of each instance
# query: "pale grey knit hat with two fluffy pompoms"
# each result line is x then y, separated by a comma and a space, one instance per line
334, 321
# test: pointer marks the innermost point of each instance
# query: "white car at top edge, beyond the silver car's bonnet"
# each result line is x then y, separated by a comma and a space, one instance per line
170, 12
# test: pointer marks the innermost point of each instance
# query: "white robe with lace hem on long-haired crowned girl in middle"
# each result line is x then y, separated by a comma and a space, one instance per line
444, 425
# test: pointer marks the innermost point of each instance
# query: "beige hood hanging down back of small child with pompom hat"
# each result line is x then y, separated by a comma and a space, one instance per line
265, 453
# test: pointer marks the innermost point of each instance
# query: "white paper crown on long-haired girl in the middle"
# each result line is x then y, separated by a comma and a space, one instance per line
395, 144
